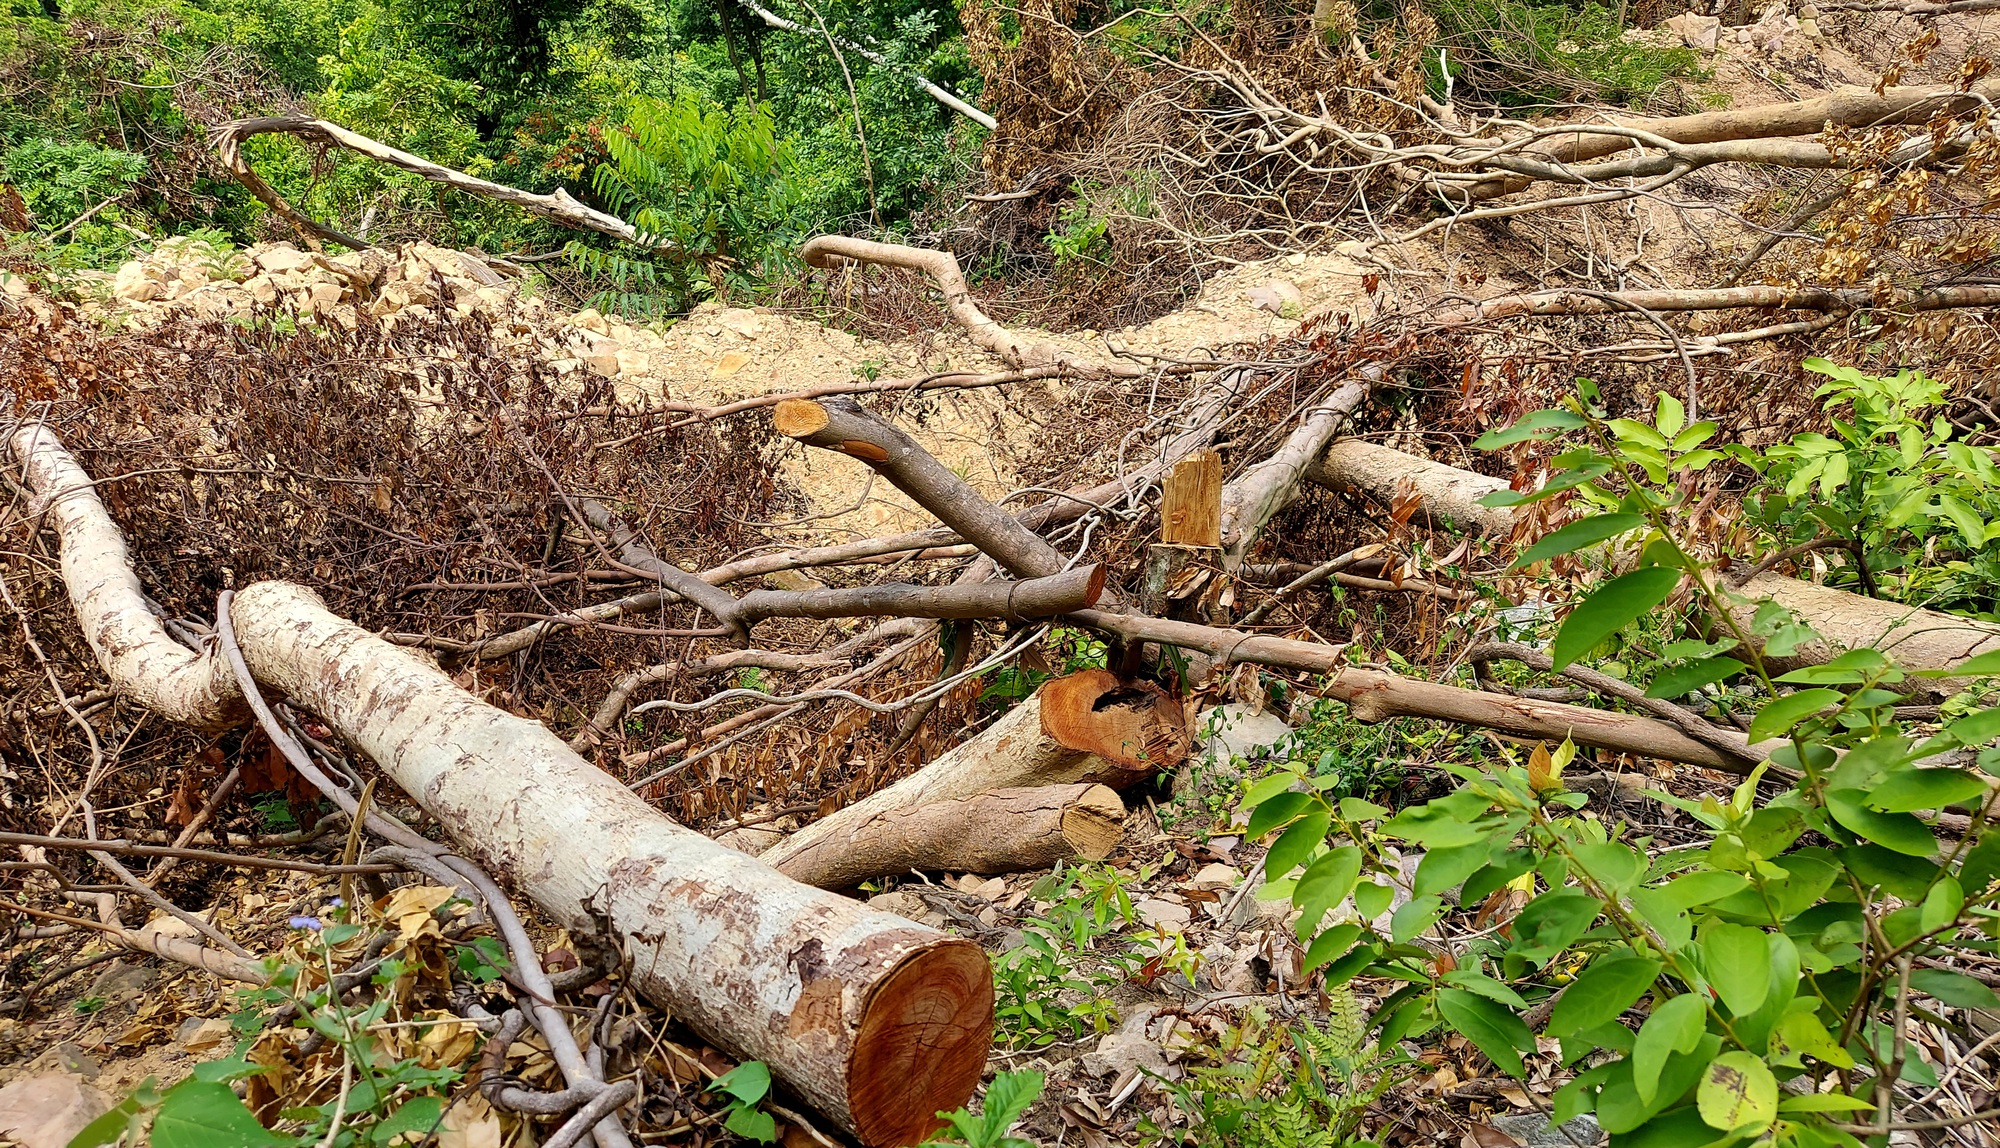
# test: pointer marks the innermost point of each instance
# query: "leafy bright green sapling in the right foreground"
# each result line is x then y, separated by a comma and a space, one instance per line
1755, 989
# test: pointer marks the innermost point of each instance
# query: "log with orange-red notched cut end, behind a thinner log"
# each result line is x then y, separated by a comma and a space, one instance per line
1081, 729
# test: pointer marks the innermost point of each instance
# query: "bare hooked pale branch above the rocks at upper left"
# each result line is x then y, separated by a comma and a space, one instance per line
559, 207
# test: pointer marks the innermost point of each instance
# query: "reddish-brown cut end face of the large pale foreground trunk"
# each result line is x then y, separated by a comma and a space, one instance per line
923, 1043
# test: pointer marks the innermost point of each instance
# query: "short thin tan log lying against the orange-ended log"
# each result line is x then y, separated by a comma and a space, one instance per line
993, 833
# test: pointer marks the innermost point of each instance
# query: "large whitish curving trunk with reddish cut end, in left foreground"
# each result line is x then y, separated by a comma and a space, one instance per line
873, 1019
